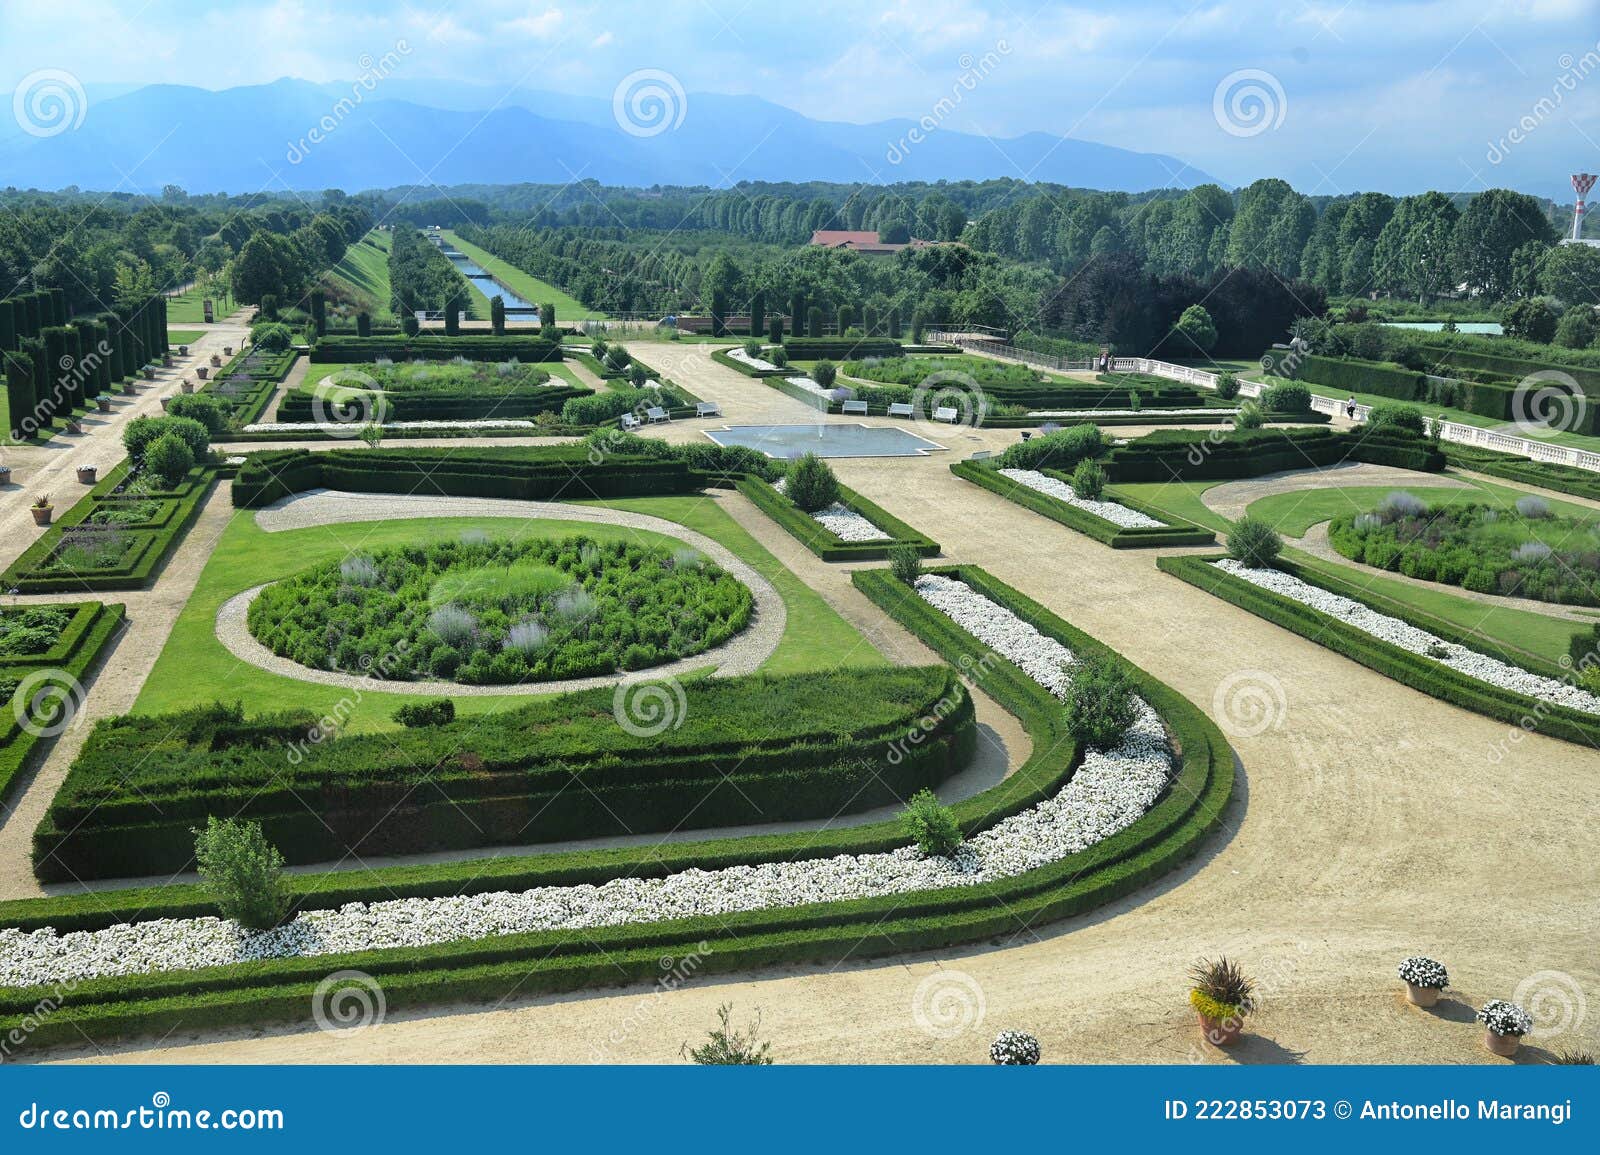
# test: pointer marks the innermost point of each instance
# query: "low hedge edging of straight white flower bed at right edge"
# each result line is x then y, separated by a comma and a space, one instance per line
1415, 671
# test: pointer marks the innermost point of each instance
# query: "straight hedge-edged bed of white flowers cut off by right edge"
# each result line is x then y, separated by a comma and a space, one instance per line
1431, 657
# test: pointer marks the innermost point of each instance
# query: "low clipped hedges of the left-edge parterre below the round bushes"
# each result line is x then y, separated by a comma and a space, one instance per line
150, 543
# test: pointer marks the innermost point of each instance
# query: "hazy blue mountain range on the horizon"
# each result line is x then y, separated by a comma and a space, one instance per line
262, 138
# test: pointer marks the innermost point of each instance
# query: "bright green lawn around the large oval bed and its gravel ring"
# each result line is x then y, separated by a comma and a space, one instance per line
194, 668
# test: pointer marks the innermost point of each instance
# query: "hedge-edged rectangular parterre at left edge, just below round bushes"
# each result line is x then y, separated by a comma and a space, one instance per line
116, 538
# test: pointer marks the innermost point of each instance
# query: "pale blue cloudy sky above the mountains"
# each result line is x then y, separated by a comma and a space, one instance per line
1393, 95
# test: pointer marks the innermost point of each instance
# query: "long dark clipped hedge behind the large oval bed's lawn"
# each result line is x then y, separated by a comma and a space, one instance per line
530, 474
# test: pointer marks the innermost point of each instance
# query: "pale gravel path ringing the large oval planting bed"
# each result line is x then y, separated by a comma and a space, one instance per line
745, 653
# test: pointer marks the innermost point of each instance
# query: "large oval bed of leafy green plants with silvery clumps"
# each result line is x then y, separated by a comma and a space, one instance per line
502, 612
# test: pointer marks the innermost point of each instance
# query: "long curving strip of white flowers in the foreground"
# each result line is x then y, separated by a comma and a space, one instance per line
1110, 791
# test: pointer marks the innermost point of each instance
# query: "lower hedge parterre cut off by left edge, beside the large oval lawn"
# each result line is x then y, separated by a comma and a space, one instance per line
47, 655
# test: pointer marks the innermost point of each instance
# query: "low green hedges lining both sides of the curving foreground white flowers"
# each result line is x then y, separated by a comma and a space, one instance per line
1172, 833
